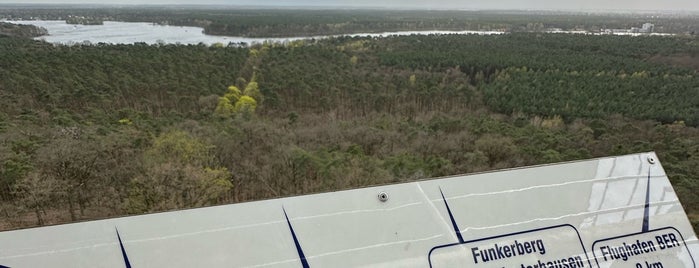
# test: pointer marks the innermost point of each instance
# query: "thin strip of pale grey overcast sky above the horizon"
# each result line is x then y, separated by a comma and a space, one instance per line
682, 5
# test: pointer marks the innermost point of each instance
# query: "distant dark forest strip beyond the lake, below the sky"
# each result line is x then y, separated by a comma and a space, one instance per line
293, 22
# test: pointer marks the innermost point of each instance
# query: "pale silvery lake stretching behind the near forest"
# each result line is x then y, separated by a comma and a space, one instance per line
133, 32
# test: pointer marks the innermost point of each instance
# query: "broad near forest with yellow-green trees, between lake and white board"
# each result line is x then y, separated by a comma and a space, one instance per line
96, 131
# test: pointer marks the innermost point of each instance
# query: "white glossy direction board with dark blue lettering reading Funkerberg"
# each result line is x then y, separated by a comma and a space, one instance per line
616, 212
